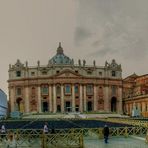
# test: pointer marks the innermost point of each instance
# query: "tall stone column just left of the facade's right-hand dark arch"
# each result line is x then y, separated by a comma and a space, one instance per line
106, 99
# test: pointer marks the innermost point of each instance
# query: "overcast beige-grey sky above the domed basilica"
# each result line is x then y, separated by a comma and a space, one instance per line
88, 29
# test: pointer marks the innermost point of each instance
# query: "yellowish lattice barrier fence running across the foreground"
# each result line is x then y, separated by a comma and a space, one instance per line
65, 138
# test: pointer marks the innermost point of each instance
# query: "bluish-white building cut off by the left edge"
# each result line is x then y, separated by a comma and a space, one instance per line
3, 104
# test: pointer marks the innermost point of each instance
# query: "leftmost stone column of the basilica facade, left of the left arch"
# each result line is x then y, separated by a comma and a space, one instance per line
12, 99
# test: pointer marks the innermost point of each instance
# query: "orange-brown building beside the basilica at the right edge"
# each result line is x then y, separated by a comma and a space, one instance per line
135, 94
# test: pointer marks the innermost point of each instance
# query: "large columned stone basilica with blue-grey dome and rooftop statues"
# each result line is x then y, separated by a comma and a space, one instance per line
62, 86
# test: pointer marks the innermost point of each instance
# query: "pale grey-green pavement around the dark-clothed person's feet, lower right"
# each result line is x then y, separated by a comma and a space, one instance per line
115, 142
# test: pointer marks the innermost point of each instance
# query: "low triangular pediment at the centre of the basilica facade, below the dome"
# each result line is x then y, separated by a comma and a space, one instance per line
68, 74
